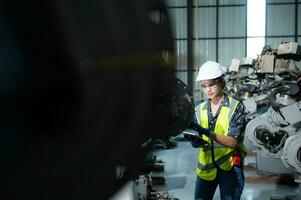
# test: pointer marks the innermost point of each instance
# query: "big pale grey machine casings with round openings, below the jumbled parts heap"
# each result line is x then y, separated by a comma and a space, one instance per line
277, 140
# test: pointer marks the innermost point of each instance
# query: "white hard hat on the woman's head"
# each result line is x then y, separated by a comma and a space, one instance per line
210, 70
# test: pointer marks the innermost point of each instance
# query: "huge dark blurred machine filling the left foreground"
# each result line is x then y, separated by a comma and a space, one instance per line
83, 93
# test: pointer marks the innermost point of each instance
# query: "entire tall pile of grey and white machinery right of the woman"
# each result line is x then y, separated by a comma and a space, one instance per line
269, 87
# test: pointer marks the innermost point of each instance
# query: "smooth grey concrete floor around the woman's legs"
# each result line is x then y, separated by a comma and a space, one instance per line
179, 173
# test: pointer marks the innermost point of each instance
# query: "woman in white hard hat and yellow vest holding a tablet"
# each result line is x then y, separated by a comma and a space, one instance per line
220, 122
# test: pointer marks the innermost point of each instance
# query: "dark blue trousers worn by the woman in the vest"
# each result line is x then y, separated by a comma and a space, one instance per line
226, 180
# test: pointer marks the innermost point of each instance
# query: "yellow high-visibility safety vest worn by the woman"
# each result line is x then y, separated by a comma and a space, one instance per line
222, 155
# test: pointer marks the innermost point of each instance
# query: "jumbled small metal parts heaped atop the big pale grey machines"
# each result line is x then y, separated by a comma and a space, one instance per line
262, 76
